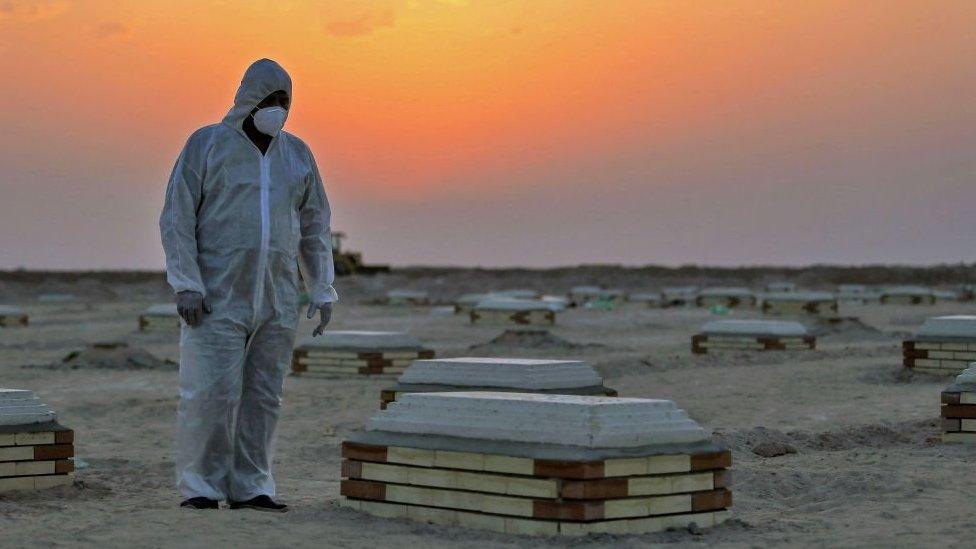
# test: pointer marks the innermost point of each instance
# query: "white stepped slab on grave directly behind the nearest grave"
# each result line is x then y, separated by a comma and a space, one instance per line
516, 373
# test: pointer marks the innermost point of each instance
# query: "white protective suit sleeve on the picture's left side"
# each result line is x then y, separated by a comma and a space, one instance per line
178, 222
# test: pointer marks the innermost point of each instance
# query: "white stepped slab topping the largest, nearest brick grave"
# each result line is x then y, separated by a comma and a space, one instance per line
592, 422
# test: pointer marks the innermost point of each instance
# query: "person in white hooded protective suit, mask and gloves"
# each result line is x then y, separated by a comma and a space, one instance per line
245, 206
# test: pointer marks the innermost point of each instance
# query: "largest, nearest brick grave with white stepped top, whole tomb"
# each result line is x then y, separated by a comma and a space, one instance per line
537, 464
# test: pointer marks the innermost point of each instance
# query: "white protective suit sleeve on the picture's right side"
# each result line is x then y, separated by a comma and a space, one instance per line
315, 246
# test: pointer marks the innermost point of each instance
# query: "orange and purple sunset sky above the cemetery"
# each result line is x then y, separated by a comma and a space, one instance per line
512, 132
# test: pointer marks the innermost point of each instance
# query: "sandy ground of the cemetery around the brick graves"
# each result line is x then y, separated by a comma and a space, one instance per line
868, 468
